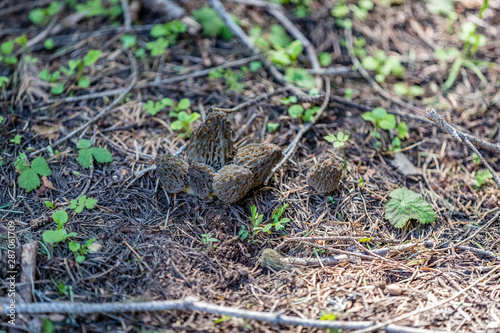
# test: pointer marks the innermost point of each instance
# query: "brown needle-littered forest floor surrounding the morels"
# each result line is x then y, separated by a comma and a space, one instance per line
149, 246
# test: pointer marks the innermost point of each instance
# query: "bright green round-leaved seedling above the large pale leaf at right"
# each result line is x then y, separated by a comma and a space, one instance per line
386, 121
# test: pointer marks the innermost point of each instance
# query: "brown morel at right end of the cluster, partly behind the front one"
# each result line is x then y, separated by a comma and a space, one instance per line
259, 158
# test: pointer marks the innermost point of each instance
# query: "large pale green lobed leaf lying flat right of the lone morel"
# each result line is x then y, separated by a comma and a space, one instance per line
406, 205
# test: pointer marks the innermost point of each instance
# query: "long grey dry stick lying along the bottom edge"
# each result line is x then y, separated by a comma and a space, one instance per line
192, 304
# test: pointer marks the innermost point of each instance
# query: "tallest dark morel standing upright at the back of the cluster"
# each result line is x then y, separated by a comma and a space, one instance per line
211, 143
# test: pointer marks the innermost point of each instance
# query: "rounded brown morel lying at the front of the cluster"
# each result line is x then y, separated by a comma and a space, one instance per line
232, 182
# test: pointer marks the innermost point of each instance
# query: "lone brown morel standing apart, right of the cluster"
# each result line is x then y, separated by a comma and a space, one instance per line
324, 177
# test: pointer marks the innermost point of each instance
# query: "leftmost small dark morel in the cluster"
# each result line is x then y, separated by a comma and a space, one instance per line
172, 172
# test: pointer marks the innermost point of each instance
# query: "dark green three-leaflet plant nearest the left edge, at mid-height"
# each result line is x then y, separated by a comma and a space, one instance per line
29, 178
